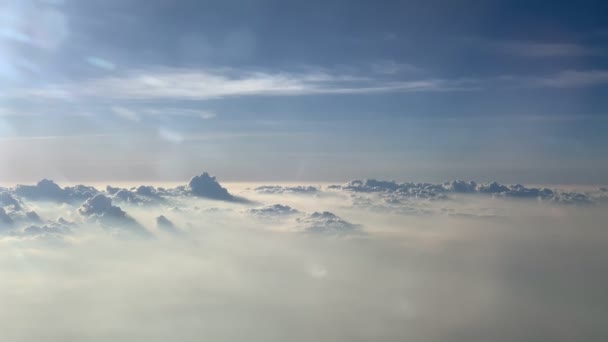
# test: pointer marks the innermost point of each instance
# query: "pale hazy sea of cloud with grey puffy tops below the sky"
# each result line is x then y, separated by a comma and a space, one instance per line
366, 260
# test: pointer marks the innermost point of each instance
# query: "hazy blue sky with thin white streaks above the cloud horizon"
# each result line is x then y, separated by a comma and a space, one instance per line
304, 91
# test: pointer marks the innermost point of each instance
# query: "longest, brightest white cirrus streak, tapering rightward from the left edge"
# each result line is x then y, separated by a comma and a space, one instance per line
191, 84
